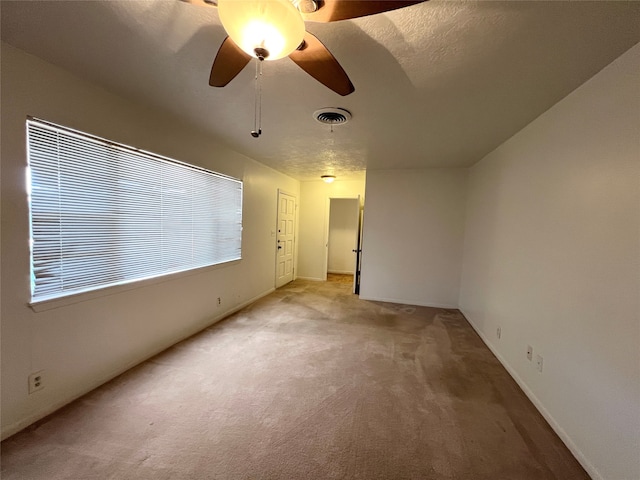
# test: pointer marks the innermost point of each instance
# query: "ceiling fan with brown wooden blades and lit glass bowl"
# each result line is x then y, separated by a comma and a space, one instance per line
273, 29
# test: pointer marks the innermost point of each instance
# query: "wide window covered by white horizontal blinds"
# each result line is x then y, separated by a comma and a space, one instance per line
104, 214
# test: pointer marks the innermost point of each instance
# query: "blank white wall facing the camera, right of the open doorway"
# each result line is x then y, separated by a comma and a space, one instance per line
413, 236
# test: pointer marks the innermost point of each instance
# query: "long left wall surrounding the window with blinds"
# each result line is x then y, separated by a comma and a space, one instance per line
81, 345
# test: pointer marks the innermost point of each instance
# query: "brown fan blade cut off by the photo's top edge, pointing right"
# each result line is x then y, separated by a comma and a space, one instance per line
334, 10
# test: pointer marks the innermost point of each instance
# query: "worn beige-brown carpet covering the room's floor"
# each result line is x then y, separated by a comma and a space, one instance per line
307, 383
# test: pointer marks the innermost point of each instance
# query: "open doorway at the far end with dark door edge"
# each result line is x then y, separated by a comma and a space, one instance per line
343, 239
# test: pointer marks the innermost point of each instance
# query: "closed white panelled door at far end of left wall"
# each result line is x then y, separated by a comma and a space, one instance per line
285, 238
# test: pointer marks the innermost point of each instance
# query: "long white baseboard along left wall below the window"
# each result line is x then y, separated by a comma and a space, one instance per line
31, 419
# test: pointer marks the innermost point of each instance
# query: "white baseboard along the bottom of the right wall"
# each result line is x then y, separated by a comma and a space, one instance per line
577, 453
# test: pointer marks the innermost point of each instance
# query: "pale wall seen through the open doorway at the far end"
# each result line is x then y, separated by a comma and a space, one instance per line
343, 233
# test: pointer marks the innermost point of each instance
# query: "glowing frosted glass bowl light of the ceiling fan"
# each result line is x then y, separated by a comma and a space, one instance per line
274, 26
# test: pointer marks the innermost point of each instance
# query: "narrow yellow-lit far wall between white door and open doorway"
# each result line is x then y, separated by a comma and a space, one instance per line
314, 221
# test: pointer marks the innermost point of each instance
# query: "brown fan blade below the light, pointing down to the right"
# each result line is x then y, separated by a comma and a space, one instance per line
314, 58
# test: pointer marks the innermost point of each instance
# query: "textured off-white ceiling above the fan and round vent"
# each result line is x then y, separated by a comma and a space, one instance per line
437, 84
